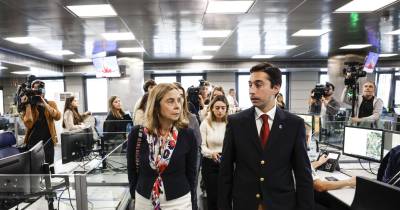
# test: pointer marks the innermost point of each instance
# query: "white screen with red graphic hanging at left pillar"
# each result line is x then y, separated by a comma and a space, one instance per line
106, 67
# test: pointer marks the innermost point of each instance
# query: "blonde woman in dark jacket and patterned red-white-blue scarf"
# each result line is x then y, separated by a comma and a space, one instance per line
162, 155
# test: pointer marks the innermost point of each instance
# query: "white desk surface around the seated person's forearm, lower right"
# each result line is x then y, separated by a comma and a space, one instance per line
345, 195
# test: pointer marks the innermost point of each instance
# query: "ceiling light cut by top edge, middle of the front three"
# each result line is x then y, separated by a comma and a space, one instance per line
228, 7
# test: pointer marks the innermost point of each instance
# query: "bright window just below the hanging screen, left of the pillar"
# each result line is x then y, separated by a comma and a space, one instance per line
96, 94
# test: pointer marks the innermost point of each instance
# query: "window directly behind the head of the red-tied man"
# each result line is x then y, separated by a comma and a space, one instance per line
243, 90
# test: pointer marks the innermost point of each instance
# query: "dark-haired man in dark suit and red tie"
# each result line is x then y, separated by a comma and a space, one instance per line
264, 162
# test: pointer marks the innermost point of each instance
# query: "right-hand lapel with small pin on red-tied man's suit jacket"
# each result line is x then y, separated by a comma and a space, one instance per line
277, 128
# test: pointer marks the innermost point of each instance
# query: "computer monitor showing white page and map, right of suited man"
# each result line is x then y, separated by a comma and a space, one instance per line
363, 143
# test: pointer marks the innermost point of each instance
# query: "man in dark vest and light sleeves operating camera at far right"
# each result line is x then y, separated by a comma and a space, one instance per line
368, 108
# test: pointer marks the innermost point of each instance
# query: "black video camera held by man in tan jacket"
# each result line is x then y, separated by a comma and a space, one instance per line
33, 95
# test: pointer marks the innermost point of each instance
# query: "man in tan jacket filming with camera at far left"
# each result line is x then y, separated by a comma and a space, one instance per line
38, 115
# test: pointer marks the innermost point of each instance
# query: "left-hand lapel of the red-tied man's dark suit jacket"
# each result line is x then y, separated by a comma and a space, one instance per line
250, 124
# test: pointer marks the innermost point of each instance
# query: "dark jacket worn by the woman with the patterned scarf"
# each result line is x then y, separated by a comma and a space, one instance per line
179, 177
